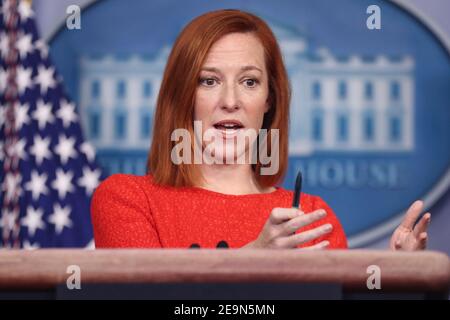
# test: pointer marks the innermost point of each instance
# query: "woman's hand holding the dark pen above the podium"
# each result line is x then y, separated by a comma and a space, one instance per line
279, 230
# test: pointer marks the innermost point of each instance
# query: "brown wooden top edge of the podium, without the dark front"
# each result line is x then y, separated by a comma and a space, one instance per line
417, 271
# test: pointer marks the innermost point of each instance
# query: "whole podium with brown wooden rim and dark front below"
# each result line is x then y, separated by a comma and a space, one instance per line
222, 274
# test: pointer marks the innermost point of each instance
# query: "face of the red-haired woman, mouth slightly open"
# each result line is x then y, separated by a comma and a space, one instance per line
232, 93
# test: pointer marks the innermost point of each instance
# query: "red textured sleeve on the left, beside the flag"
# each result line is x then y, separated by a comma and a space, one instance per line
121, 215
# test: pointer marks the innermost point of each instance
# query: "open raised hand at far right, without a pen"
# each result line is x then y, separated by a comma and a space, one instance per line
408, 237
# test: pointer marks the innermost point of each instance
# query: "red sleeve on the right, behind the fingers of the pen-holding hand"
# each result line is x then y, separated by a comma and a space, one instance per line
337, 237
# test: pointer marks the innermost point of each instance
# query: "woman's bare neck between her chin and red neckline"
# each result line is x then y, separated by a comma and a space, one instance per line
237, 179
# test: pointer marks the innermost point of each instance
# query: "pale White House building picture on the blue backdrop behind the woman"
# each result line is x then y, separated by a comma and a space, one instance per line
339, 103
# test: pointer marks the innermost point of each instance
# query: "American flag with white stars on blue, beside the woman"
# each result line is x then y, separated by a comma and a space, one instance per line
47, 170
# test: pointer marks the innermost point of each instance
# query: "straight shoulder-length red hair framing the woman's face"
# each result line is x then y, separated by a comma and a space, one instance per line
175, 104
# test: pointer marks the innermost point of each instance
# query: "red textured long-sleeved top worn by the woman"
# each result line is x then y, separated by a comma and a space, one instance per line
133, 212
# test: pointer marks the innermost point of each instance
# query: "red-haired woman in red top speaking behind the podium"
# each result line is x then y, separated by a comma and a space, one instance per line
224, 77
